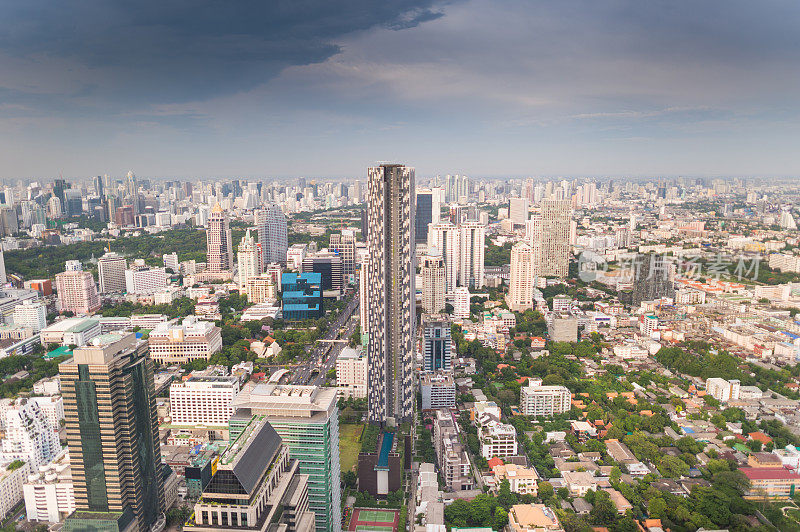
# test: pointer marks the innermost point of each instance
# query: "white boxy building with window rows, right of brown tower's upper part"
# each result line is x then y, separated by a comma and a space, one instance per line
203, 401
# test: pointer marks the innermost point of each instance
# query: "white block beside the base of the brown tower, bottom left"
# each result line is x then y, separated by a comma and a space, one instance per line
49, 493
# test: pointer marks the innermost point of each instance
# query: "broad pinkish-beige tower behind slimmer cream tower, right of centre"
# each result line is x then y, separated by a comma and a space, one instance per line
555, 248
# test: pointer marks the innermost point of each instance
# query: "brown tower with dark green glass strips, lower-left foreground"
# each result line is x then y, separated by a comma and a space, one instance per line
112, 433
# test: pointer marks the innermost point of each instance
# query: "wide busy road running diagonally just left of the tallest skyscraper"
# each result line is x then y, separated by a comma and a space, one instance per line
348, 318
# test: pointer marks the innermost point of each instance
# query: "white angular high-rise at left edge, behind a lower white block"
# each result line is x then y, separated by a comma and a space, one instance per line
29, 435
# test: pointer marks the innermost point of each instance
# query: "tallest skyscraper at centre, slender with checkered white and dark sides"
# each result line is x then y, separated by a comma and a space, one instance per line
390, 284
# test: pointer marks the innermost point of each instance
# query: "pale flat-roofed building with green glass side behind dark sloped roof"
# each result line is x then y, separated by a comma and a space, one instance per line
307, 419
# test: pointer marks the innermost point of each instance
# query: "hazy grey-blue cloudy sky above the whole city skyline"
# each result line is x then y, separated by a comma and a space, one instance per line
325, 88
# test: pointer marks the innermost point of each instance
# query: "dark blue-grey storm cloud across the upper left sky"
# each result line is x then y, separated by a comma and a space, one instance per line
172, 51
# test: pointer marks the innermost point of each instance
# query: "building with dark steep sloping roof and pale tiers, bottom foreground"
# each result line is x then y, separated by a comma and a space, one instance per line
256, 485
